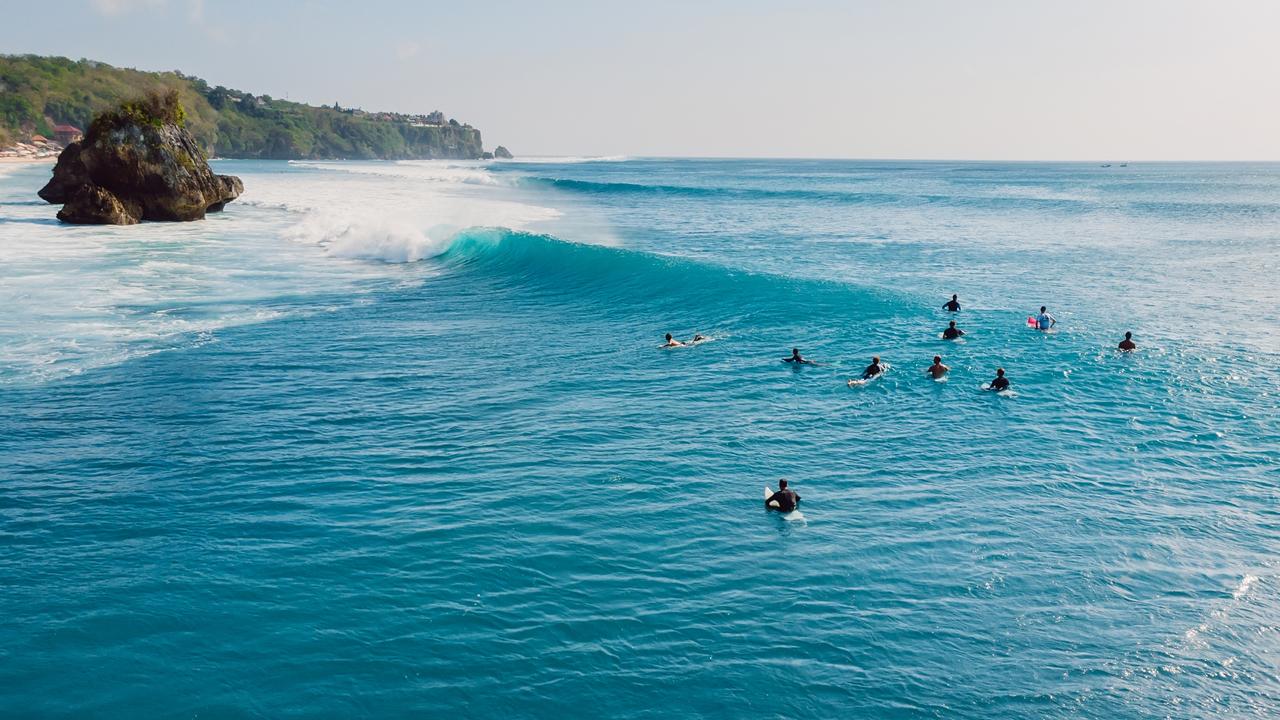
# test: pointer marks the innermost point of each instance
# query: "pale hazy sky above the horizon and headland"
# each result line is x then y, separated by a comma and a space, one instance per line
972, 80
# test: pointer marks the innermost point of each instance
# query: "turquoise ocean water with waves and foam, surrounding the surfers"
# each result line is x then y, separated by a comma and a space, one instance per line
397, 440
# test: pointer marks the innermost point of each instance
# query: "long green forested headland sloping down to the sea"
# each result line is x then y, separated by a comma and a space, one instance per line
39, 93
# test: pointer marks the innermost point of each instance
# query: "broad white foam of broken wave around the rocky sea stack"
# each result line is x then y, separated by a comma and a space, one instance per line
80, 298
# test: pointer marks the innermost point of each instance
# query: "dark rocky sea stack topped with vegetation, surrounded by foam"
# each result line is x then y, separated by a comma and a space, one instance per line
138, 163
